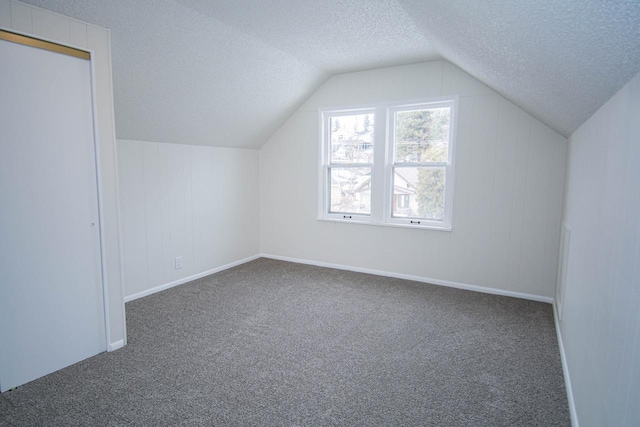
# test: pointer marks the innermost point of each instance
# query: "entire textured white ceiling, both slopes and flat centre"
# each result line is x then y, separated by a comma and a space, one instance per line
229, 72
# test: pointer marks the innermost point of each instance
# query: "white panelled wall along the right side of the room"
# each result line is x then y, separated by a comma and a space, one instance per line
600, 326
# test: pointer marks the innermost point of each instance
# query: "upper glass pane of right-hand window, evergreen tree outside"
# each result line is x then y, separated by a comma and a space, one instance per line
422, 135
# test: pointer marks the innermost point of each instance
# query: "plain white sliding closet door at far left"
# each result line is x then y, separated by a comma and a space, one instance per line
51, 300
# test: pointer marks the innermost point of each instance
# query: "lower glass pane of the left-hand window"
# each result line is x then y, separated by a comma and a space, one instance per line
350, 190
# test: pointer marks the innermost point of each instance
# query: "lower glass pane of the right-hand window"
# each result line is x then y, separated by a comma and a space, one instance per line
419, 192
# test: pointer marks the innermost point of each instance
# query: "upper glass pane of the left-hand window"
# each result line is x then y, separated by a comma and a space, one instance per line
351, 138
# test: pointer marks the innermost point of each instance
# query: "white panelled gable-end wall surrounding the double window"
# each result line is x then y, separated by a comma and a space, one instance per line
508, 189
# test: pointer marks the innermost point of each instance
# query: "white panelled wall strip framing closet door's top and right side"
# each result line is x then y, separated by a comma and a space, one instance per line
41, 23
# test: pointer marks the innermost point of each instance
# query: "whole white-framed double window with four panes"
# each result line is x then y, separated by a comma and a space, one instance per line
389, 164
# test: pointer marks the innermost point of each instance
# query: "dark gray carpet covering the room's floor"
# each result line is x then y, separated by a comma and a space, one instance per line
276, 343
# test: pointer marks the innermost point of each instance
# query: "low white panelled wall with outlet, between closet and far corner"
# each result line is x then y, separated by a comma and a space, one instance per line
200, 203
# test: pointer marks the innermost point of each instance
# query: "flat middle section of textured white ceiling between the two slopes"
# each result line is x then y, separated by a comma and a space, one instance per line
332, 35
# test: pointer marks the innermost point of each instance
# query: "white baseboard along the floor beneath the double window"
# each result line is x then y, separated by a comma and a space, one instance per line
438, 282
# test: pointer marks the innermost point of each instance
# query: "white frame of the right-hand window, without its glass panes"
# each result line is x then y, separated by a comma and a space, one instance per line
449, 165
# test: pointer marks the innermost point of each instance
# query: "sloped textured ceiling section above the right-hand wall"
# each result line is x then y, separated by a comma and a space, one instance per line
558, 59
